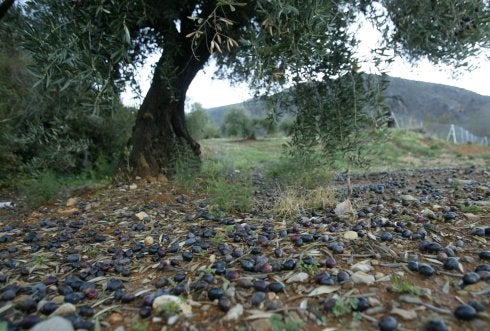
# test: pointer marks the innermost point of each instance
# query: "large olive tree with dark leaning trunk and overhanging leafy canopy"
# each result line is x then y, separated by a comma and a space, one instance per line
96, 45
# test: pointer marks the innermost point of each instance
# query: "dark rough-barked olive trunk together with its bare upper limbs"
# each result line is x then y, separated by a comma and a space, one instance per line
160, 132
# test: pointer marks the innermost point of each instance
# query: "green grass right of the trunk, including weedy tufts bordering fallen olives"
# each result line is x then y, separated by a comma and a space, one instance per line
228, 164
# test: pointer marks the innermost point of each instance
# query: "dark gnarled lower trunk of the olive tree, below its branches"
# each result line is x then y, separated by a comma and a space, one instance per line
160, 132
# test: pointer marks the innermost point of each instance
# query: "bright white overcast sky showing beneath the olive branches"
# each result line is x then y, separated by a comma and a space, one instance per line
213, 93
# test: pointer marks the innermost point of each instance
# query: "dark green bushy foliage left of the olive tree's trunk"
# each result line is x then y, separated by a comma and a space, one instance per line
51, 132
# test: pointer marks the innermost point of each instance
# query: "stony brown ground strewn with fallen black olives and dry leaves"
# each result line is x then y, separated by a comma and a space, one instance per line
147, 256
